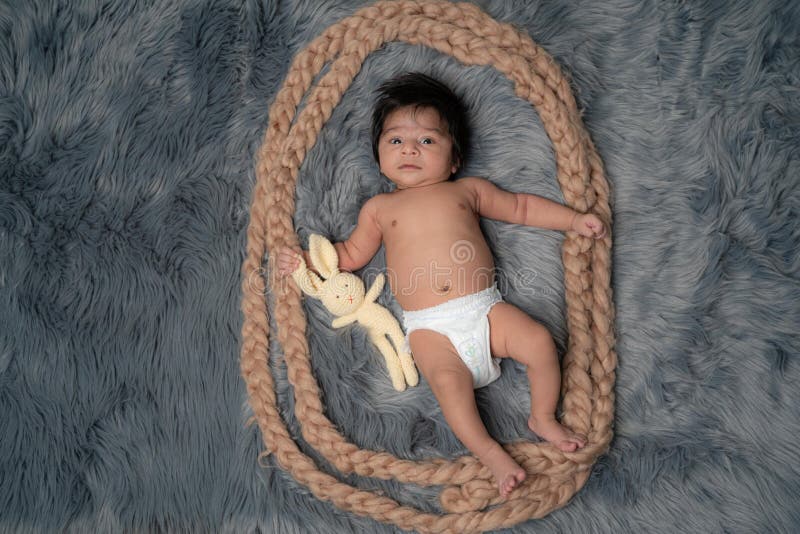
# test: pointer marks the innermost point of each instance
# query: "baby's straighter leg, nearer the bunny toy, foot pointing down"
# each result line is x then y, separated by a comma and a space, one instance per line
451, 383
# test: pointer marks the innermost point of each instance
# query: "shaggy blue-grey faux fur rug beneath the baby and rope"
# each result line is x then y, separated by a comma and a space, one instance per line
127, 139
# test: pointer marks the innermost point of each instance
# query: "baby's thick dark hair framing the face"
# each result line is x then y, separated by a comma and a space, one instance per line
422, 91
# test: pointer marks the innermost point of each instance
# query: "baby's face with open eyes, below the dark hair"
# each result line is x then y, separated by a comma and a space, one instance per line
415, 148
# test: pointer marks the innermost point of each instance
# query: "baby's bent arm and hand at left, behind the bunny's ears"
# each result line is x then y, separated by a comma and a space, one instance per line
353, 253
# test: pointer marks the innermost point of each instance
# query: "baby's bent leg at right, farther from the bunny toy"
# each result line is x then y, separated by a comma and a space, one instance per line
514, 334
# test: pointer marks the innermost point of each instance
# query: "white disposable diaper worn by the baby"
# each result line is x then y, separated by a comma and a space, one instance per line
465, 322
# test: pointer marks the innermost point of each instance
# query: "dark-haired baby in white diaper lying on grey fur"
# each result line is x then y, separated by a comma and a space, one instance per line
441, 270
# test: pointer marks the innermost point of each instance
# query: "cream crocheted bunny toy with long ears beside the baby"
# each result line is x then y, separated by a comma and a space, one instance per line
342, 293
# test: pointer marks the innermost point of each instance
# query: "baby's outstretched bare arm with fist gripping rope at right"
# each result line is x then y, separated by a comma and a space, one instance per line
531, 210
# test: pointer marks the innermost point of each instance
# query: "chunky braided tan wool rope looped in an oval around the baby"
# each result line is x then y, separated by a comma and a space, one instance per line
469, 498
